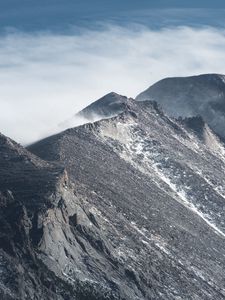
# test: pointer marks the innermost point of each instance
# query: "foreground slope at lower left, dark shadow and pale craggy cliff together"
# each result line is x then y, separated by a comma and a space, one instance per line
51, 246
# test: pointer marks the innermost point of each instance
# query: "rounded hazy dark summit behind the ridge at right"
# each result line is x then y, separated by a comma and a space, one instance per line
202, 95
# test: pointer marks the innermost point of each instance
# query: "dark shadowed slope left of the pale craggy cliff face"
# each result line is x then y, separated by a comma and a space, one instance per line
28, 188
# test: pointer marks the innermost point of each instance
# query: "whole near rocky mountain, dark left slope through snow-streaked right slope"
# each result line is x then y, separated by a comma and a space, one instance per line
129, 207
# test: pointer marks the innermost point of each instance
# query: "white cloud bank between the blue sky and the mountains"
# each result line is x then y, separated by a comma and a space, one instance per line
46, 78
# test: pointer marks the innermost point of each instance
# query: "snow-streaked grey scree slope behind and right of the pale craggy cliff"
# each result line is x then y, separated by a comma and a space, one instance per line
130, 144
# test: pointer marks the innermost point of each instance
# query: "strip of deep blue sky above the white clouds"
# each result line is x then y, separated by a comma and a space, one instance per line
61, 15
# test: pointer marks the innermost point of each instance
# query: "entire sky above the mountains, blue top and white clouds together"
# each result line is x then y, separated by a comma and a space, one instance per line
58, 56
